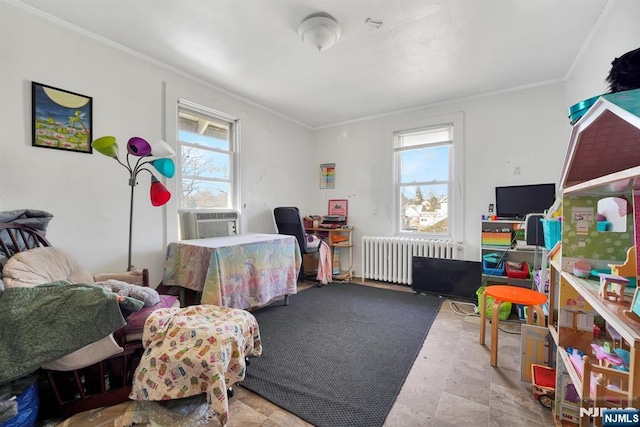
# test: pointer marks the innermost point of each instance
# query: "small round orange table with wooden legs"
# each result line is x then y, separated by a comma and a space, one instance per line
516, 295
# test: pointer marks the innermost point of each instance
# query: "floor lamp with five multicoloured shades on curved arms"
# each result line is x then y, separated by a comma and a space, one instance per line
140, 148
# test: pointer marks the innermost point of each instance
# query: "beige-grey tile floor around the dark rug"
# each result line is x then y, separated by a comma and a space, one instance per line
451, 383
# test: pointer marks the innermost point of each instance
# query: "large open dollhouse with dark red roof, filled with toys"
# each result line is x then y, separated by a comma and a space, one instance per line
600, 185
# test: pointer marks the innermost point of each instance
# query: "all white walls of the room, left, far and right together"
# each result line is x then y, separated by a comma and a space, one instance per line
88, 194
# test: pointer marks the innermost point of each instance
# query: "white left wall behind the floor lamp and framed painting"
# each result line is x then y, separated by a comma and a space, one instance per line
88, 194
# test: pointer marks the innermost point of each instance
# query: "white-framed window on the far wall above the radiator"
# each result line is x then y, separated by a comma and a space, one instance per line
428, 195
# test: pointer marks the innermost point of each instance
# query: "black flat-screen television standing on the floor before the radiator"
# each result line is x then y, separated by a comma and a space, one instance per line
446, 277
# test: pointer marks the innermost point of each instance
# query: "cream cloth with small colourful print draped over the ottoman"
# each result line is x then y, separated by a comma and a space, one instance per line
194, 350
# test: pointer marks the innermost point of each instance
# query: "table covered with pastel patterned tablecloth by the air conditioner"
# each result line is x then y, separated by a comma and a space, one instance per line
243, 271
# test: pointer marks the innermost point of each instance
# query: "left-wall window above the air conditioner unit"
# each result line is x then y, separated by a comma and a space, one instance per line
207, 150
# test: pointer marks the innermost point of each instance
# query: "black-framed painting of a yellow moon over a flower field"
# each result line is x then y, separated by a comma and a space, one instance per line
61, 119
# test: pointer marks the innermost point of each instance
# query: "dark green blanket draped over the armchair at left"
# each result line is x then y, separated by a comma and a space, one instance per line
43, 323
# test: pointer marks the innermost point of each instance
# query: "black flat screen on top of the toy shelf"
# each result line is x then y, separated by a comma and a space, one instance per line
517, 201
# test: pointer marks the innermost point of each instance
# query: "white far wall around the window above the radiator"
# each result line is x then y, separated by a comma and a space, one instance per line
527, 127
